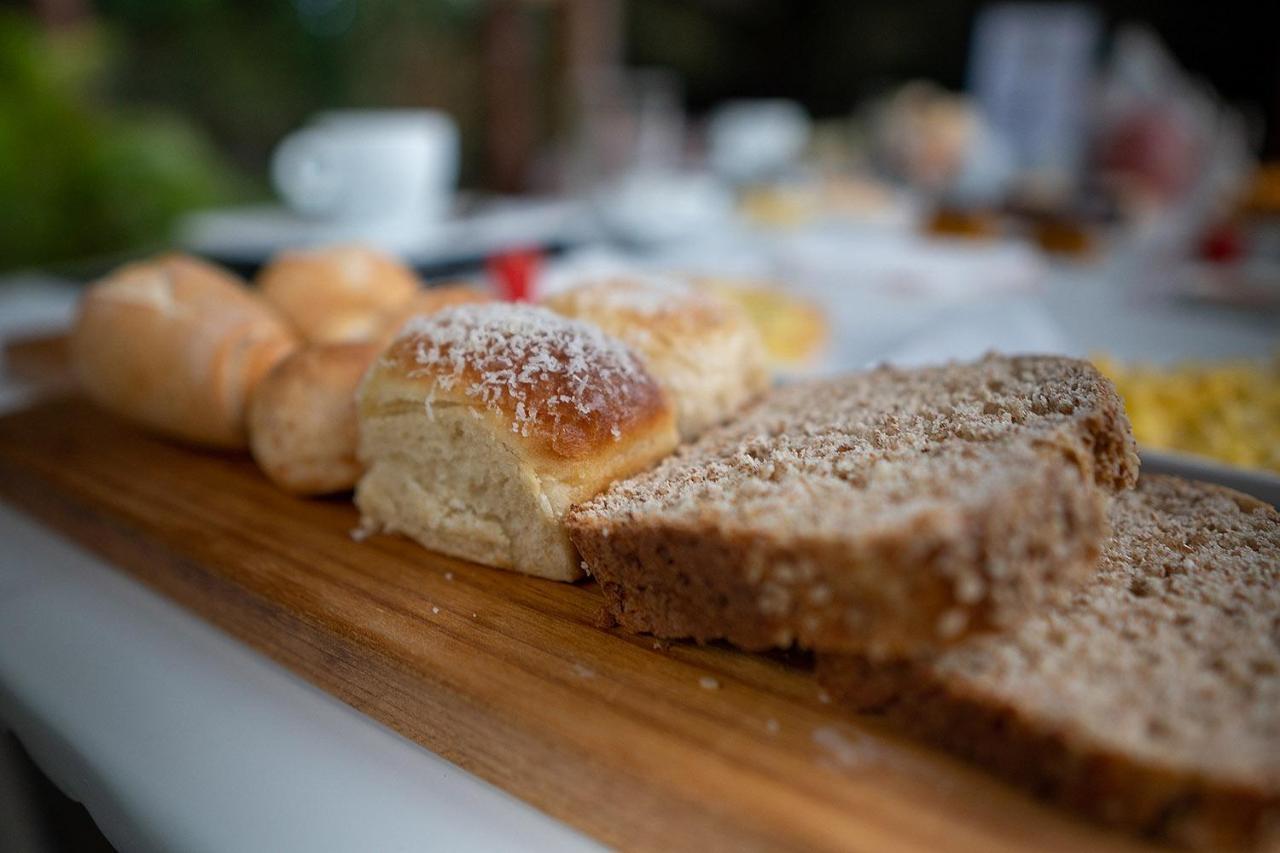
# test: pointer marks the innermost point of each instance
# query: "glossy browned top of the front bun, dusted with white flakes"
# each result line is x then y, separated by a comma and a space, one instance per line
563, 385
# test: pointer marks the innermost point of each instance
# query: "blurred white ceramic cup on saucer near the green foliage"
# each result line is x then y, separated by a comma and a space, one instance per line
371, 165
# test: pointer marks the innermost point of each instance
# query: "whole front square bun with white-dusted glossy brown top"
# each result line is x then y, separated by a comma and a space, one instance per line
482, 425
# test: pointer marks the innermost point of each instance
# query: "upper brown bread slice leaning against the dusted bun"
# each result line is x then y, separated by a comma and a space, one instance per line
890, 512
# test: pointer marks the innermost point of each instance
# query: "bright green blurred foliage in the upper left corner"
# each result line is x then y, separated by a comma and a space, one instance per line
77, 179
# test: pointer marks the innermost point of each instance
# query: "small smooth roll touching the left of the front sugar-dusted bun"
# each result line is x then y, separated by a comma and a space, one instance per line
303, 418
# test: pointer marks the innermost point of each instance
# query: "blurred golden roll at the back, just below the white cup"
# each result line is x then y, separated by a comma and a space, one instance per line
337, 294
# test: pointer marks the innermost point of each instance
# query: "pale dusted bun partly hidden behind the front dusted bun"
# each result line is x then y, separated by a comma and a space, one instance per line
703, 349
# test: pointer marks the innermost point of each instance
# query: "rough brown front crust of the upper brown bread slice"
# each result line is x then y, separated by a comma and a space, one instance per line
906, 590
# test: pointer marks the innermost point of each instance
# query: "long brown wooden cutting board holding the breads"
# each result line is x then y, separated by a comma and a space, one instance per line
637, 743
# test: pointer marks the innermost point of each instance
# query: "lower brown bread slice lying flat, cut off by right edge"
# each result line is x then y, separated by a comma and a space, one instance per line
1150, 701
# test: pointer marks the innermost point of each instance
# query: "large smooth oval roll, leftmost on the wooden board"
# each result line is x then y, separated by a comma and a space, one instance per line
177, 345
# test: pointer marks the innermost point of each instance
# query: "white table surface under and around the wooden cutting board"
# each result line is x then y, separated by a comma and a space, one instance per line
176, 737
